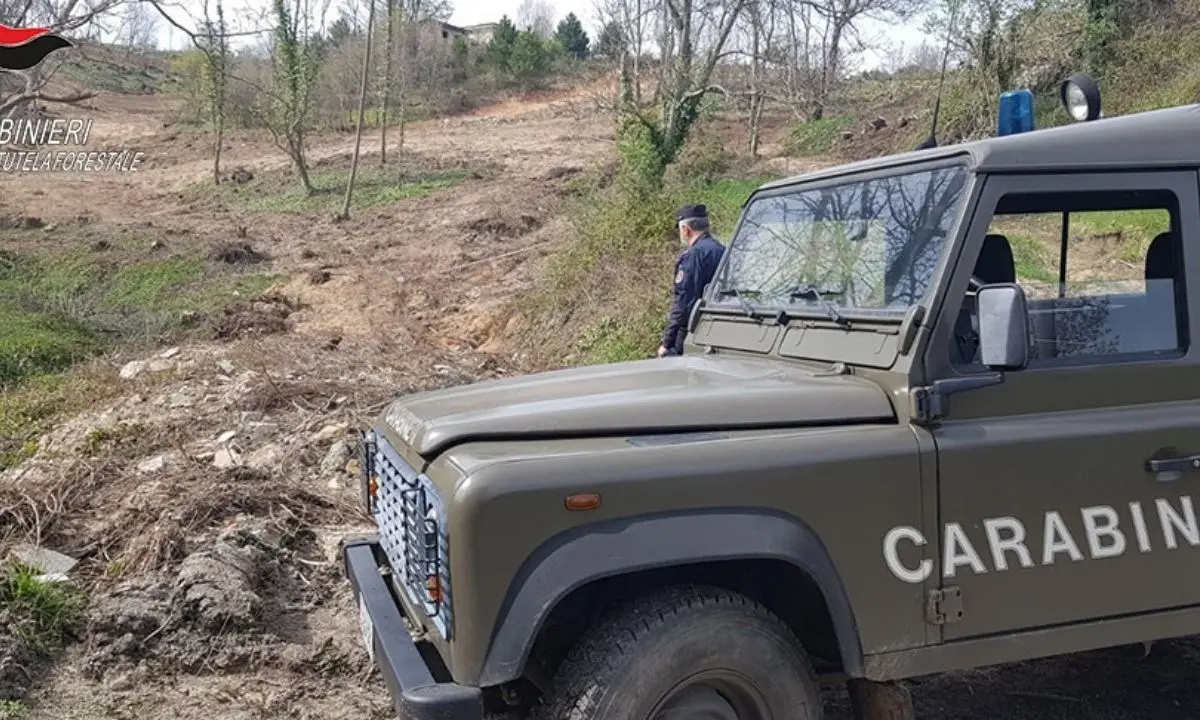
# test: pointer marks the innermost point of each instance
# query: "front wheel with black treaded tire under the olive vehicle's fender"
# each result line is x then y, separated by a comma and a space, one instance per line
686, 652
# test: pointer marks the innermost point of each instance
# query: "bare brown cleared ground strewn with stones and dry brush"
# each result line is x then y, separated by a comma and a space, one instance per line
232, 604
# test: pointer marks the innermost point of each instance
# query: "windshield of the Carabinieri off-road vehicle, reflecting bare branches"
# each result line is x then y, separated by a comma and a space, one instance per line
869, 245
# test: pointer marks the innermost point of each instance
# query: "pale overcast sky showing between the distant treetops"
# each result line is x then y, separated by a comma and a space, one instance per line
471, 13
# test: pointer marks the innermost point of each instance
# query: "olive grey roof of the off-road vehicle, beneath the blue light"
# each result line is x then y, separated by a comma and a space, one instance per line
1149, 140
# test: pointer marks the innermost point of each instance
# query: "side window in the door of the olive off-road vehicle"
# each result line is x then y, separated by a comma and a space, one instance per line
1103, 273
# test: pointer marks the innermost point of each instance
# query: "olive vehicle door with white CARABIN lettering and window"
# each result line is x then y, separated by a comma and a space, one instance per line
1051, 509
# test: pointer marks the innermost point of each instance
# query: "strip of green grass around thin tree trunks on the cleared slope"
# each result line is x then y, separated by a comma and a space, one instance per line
374, 187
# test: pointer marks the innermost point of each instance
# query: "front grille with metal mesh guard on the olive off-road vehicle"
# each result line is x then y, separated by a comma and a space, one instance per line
415, 532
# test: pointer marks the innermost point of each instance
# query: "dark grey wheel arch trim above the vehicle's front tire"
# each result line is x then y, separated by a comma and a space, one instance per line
589, 555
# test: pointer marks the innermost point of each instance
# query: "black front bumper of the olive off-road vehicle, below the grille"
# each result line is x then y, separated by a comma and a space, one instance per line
417, 695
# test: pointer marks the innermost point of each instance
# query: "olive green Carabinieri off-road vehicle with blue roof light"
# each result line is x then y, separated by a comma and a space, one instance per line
938, 411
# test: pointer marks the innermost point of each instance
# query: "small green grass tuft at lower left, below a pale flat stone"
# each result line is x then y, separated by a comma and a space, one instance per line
44, 615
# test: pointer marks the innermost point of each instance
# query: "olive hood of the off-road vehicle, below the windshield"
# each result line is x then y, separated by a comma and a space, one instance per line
639, 398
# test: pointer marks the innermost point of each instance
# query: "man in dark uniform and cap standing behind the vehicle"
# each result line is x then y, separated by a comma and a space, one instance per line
694, 271
